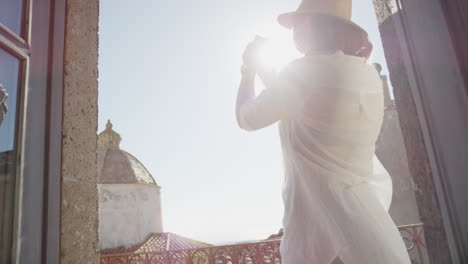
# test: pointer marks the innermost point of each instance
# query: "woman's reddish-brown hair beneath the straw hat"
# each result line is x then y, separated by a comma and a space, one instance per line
329, 34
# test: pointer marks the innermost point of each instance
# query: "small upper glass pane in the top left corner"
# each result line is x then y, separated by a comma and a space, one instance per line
11, 14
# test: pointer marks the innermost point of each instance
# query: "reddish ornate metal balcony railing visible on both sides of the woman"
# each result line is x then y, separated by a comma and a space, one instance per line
261, 252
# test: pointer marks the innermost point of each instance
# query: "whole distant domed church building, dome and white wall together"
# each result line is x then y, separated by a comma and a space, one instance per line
129, 197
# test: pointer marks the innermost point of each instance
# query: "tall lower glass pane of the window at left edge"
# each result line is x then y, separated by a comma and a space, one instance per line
9, 76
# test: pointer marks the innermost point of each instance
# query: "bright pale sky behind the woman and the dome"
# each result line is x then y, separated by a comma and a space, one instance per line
168, 78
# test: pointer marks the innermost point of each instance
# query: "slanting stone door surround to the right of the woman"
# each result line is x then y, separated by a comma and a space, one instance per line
393, 40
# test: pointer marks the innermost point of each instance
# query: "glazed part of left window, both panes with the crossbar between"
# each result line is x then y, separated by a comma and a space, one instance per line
13, 66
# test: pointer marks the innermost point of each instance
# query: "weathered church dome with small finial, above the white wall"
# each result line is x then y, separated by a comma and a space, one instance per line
116, 165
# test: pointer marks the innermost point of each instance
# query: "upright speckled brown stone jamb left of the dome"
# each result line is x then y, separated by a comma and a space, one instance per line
79, 209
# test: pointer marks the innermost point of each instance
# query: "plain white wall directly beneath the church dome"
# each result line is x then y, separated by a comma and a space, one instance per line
128, 213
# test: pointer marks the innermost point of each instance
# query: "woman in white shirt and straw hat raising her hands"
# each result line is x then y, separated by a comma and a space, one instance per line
330, 107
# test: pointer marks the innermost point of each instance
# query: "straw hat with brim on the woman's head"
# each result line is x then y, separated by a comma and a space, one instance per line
340, 9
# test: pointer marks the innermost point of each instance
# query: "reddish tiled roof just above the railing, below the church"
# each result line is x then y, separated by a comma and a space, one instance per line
157, 243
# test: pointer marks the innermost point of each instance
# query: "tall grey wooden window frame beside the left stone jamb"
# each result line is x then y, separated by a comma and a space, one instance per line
36, 228
